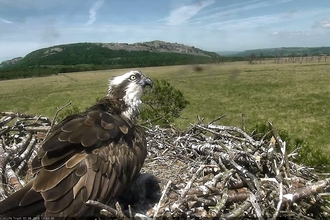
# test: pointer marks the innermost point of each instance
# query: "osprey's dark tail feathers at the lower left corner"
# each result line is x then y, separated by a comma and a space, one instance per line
12, 207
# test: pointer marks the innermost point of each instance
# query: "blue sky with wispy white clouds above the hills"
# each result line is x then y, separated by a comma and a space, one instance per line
214, 25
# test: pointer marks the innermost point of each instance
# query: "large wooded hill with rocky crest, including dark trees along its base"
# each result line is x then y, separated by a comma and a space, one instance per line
97, 56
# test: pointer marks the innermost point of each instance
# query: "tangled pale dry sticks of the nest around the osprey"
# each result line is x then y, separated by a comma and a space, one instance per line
209, 170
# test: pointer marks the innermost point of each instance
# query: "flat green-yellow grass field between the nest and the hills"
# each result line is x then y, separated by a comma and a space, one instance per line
295, 97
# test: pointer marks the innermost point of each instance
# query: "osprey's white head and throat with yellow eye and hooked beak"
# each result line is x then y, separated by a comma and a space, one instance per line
128, 88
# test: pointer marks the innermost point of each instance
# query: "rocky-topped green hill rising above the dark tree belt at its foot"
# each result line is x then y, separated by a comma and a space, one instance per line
108, 53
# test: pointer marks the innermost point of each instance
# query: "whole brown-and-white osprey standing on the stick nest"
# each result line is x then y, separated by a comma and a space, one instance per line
93, 155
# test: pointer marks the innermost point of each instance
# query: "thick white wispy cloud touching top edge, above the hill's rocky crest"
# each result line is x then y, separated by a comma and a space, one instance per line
182, 14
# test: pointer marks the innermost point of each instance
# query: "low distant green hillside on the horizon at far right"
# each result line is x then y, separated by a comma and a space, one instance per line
285, 51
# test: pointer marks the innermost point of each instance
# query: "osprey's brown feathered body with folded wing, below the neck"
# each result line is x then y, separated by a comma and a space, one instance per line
91, 157
